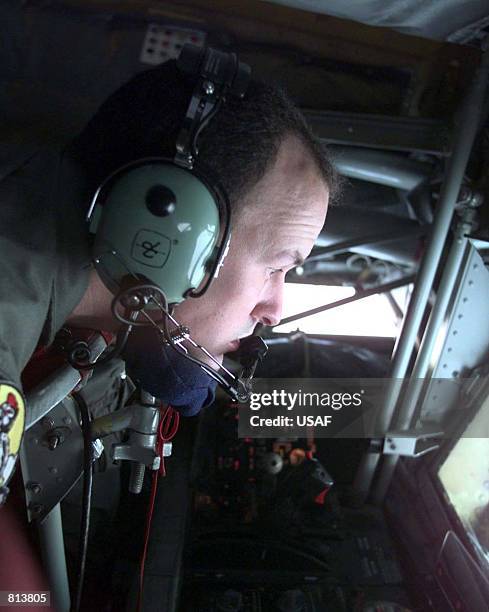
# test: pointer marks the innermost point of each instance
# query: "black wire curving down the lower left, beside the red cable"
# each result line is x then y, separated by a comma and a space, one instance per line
86, 499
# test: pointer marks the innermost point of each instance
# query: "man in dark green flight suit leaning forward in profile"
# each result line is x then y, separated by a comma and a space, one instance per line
259, 148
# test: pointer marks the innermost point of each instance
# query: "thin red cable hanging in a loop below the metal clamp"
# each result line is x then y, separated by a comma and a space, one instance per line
168, 427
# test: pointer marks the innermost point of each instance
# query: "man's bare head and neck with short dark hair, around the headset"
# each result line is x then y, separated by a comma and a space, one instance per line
275, 172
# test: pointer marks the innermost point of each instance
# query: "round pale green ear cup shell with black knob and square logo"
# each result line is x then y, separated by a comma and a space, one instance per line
156, 220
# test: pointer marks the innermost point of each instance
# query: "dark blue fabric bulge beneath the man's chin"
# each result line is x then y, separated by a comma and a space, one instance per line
166, 374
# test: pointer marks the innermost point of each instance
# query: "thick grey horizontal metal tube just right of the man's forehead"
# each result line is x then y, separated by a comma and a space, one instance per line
391, 169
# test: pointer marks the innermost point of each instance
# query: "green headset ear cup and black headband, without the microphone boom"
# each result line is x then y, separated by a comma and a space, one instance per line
167, 221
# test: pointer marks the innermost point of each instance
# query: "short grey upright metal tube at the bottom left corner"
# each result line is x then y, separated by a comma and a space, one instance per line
53, 554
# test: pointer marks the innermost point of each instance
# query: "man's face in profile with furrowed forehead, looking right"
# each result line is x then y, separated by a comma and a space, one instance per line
277, 229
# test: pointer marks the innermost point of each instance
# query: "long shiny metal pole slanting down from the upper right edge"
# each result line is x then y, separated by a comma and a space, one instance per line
467, 124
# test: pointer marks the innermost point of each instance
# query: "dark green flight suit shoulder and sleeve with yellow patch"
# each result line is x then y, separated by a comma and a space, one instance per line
44, 263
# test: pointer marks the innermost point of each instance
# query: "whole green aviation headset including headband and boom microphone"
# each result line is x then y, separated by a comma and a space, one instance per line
162, 227
